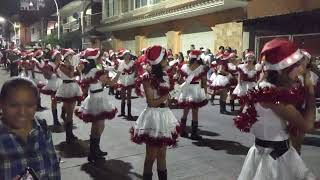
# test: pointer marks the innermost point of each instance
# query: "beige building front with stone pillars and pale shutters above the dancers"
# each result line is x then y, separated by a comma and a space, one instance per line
136, 24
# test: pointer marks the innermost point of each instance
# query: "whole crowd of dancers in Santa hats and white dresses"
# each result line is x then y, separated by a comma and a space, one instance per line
276, 92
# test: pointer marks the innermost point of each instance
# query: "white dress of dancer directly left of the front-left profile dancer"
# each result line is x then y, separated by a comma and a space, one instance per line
69, 90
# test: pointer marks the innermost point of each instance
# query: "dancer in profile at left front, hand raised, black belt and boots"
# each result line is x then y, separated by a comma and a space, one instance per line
96, 107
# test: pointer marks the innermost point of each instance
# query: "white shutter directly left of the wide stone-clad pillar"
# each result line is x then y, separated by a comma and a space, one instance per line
199, 39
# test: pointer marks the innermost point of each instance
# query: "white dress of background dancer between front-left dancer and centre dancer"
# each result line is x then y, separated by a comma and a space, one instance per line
127, 77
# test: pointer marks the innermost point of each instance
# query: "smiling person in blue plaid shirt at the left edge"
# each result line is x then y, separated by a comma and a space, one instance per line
25, 140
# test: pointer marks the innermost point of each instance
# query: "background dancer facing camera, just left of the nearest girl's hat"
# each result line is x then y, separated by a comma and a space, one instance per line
247, 78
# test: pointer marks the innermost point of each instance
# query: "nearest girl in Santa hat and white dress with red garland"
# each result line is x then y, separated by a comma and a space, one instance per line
272, 106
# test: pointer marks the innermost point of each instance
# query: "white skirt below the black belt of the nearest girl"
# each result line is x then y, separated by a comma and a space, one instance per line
259, 165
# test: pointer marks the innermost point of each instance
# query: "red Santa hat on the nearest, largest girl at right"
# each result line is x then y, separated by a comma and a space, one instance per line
280, 54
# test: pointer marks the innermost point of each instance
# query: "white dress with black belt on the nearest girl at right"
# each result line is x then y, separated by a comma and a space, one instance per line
264, 162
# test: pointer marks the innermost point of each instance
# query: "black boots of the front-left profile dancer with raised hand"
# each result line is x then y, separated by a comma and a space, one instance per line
95, 154
